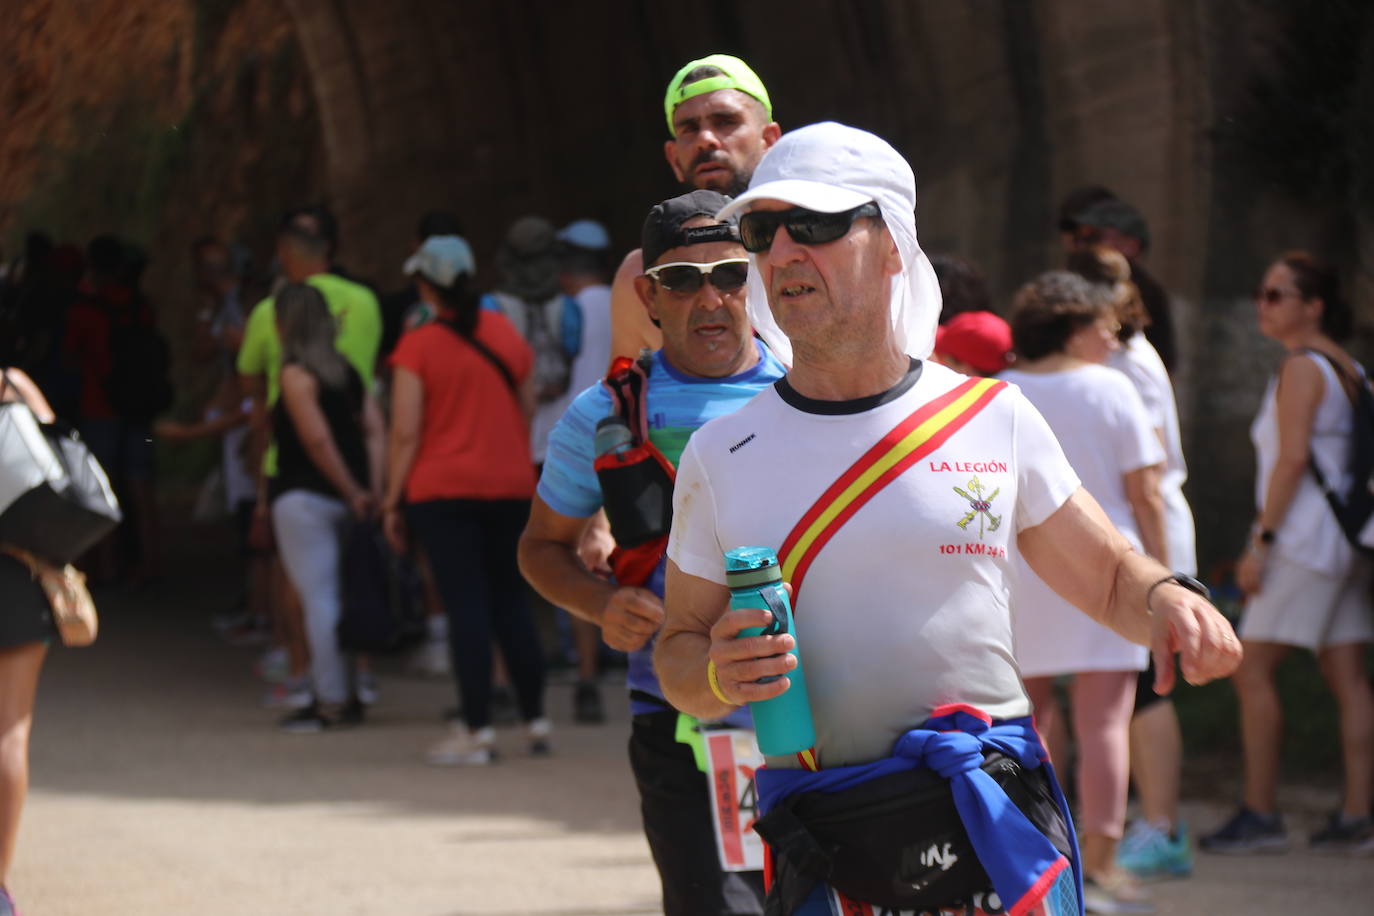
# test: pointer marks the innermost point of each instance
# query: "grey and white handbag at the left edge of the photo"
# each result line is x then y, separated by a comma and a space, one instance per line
56, 499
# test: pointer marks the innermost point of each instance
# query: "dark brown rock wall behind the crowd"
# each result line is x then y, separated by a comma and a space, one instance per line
164, 120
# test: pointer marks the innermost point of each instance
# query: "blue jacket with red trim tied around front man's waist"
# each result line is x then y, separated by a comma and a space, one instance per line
1020, 860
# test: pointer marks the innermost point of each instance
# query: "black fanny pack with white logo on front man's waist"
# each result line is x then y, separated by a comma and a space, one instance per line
895, 841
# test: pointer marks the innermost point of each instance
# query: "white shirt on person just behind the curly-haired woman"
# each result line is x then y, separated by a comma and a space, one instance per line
1141, 363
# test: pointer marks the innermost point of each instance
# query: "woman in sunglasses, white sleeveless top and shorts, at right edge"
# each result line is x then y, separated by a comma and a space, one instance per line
1305, 584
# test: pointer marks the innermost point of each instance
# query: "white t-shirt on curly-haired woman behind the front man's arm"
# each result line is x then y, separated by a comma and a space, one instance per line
1103, 426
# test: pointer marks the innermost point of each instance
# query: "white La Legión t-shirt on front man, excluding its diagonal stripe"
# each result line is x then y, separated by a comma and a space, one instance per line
903, 610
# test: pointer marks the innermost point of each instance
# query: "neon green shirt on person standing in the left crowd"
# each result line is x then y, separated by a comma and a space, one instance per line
359, 337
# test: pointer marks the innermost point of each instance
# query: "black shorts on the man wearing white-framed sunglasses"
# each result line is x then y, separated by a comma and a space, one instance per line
677, 812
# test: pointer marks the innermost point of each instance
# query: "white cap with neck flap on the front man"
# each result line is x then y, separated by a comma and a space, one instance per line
833, 168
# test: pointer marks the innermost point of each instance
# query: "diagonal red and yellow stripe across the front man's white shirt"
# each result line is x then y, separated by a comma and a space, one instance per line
925, 431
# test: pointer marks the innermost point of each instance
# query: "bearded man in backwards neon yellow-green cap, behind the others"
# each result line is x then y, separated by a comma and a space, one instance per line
721, 122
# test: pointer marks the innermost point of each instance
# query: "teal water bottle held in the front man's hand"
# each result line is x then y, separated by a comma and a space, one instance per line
782, 724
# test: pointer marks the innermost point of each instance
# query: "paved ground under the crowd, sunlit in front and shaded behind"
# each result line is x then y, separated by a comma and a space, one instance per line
161, 789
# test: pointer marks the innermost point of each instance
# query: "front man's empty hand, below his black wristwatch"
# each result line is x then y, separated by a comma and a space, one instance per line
1185, 623
